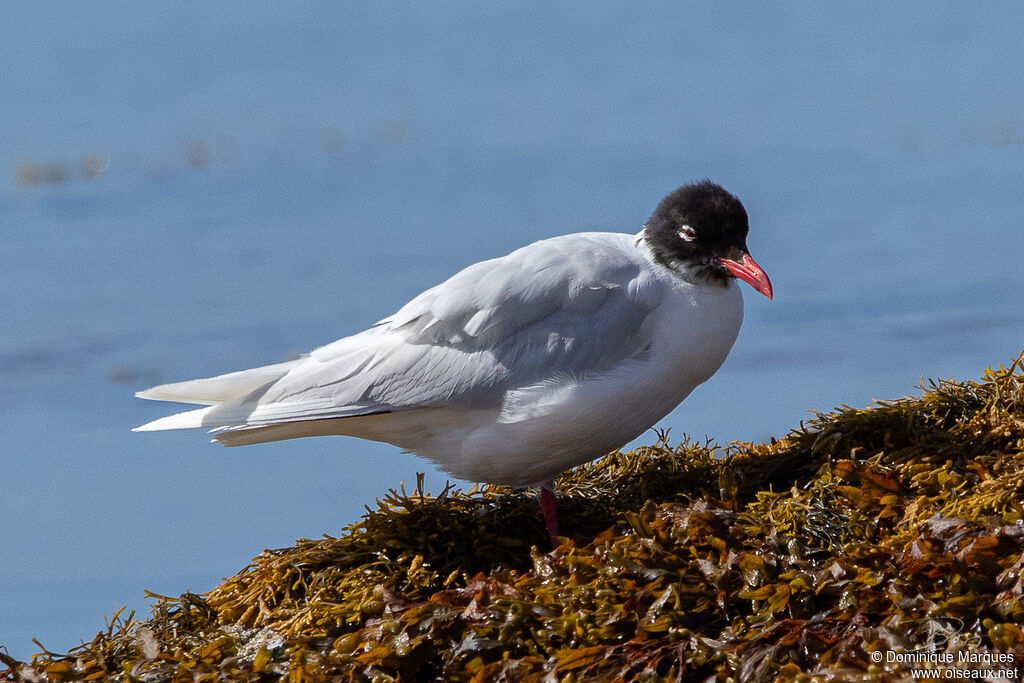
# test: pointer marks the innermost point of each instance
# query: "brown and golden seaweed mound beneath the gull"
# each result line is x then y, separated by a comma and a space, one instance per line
894, 529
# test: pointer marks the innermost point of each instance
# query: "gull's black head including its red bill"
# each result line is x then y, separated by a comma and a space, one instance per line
701, 230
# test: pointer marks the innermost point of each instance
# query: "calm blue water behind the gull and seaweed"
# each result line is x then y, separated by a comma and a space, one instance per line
198, 188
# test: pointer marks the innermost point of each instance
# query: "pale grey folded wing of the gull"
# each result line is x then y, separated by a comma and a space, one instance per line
567, 307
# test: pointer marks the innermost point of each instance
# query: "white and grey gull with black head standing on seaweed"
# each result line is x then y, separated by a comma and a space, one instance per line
518, 368
